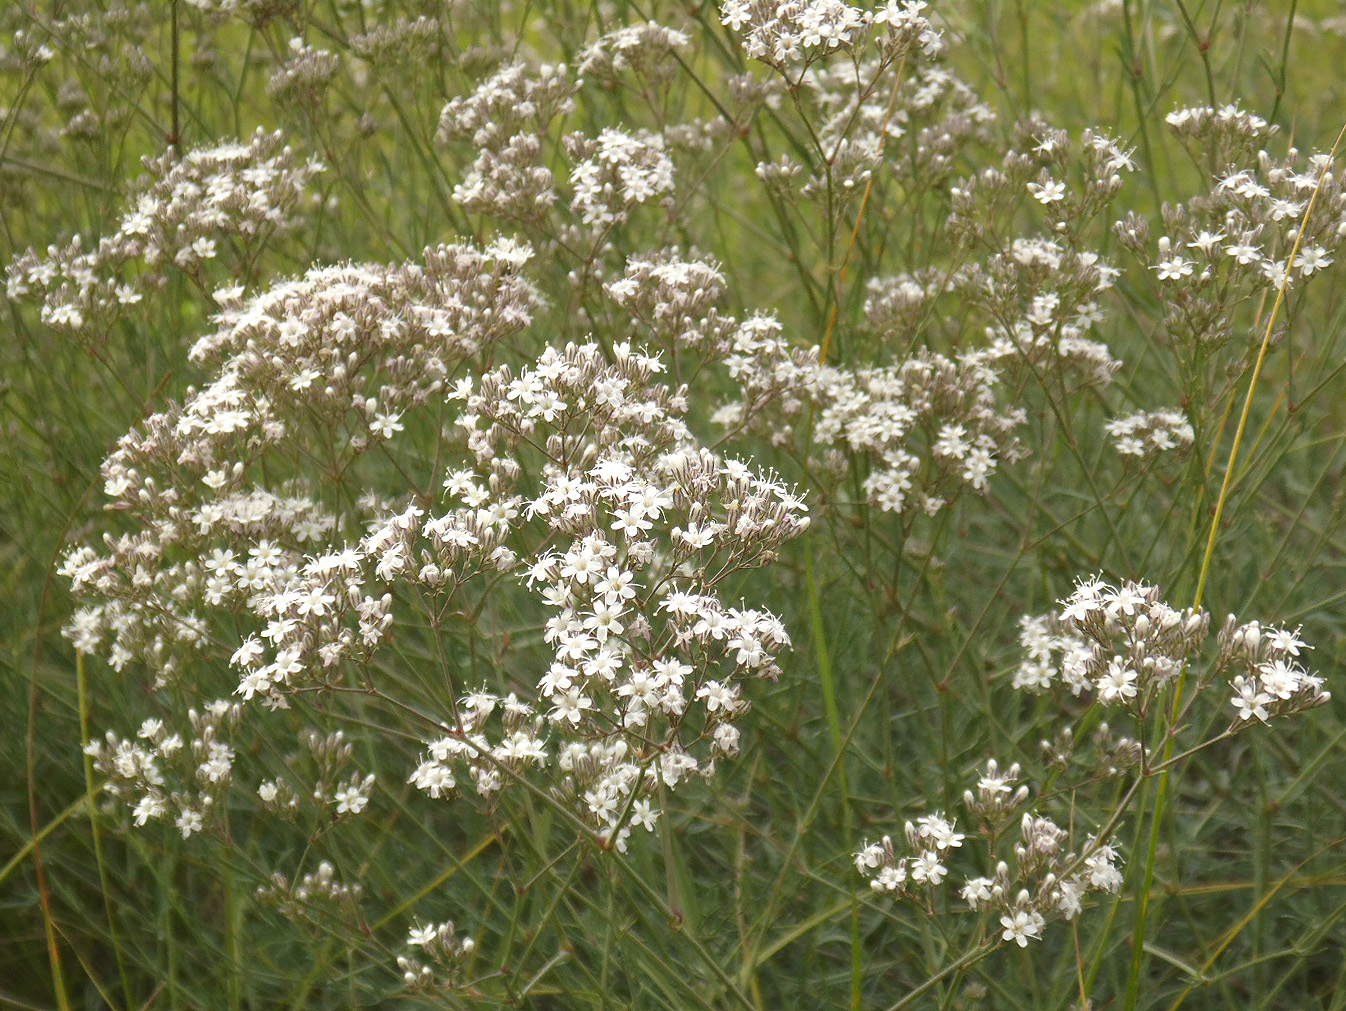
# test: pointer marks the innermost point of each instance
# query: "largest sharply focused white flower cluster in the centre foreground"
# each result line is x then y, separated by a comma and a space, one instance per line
625, 538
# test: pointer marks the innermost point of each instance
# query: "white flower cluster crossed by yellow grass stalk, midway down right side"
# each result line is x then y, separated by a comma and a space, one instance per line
1126, 646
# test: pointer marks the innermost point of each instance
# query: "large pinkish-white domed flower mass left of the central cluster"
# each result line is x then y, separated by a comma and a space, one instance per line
221, 488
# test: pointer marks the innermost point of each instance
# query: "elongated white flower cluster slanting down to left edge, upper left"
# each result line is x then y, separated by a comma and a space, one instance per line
212, 203
